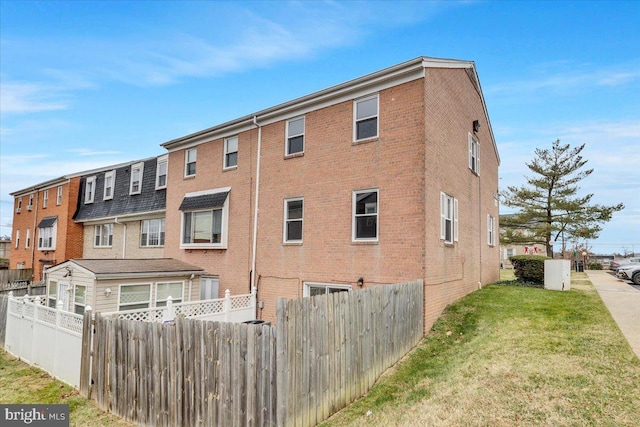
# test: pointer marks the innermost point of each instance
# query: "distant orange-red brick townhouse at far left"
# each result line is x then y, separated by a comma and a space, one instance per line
43, 232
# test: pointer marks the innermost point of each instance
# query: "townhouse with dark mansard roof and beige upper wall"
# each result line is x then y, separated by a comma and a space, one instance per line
122, 209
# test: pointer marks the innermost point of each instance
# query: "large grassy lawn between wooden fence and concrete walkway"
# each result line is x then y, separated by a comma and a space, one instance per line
511, 356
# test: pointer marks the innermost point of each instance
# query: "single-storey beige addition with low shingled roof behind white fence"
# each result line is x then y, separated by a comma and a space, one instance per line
117, 285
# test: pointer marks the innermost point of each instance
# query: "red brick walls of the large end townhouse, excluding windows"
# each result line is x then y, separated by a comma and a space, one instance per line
421, 150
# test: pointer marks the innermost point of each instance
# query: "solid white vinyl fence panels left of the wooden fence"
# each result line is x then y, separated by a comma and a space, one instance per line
46, 337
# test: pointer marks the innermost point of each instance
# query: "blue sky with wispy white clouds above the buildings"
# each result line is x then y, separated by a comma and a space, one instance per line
88, 84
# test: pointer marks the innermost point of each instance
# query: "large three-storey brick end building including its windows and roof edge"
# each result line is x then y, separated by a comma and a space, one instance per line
387, 178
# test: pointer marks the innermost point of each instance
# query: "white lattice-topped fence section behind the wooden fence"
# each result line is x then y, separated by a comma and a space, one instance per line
234, 309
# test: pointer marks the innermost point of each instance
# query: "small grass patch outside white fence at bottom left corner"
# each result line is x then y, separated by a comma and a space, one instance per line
21, 383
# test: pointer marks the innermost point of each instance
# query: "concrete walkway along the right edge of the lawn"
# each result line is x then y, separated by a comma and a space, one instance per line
623, 301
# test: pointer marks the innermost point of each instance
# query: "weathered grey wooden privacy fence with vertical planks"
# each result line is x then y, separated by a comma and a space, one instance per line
324, 352
